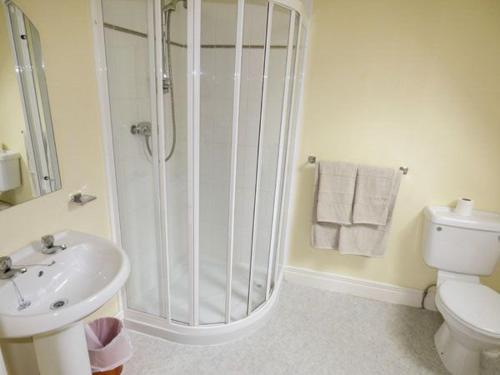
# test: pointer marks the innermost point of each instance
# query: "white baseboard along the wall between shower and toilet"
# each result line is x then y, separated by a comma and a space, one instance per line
358, 287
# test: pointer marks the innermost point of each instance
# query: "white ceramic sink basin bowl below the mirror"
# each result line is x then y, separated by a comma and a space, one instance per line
61, 288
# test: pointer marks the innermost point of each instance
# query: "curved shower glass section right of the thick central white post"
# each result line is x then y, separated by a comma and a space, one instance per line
247, 54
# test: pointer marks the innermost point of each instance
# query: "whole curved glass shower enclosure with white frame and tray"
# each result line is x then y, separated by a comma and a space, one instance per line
201, 100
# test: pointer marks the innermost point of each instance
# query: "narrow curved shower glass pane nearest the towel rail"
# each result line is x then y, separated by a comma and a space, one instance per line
273, 127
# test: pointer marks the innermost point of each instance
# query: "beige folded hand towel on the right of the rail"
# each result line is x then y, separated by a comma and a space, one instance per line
373, 195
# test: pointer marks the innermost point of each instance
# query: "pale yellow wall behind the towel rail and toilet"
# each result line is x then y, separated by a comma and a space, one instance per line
394, 83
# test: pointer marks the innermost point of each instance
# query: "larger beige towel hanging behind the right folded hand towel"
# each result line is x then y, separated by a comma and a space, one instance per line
368, 239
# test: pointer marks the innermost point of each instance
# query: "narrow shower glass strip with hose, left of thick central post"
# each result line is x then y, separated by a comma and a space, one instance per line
175, 104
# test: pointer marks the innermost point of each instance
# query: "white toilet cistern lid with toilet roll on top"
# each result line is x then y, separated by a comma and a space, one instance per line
479, 220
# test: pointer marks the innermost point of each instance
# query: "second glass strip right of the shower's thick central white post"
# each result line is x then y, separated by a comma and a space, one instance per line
252, 71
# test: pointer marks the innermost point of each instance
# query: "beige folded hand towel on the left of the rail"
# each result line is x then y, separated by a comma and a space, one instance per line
335, 183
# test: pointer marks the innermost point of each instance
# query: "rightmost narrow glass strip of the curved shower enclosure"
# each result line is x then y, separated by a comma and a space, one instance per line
270, 134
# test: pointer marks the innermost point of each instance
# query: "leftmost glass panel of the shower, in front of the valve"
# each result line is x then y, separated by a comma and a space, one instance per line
126, 36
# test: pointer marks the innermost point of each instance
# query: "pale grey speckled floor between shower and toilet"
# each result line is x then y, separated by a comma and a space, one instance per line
311, 332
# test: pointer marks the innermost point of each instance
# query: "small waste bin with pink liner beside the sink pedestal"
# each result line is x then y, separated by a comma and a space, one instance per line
109, 346
